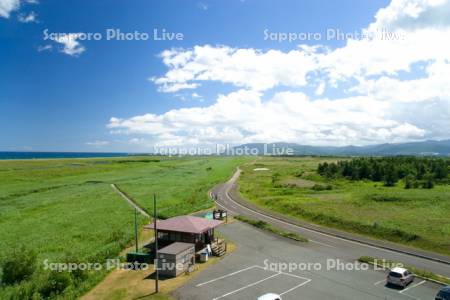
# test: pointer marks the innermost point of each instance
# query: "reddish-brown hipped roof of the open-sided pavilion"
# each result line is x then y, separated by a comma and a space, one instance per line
189, 224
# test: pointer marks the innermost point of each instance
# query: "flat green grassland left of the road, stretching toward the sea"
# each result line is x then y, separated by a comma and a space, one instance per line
65, 210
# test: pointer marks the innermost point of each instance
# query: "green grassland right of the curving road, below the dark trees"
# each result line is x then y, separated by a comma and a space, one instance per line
415, 217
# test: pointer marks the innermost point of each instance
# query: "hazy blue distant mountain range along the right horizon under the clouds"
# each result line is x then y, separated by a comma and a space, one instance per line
439, 148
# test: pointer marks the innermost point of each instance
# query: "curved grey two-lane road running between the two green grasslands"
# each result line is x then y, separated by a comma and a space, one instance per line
337, 243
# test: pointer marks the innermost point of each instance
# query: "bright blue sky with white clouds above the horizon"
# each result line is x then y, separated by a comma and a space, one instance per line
58, 99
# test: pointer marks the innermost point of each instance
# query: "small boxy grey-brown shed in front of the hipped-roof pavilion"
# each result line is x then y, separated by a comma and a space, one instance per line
175, 259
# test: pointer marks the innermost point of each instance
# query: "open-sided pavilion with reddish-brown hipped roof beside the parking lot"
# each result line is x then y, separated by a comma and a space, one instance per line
186, 229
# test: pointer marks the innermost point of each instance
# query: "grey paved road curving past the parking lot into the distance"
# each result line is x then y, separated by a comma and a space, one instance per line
329, 245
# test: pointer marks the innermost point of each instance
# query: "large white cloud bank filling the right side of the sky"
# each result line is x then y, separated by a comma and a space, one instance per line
388, 90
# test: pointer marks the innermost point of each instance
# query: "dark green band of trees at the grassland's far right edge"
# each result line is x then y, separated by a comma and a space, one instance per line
416, 171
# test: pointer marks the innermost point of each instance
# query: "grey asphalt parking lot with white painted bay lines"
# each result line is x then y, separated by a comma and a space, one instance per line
244, 274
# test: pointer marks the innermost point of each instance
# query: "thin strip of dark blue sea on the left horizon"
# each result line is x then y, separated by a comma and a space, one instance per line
47, 155
